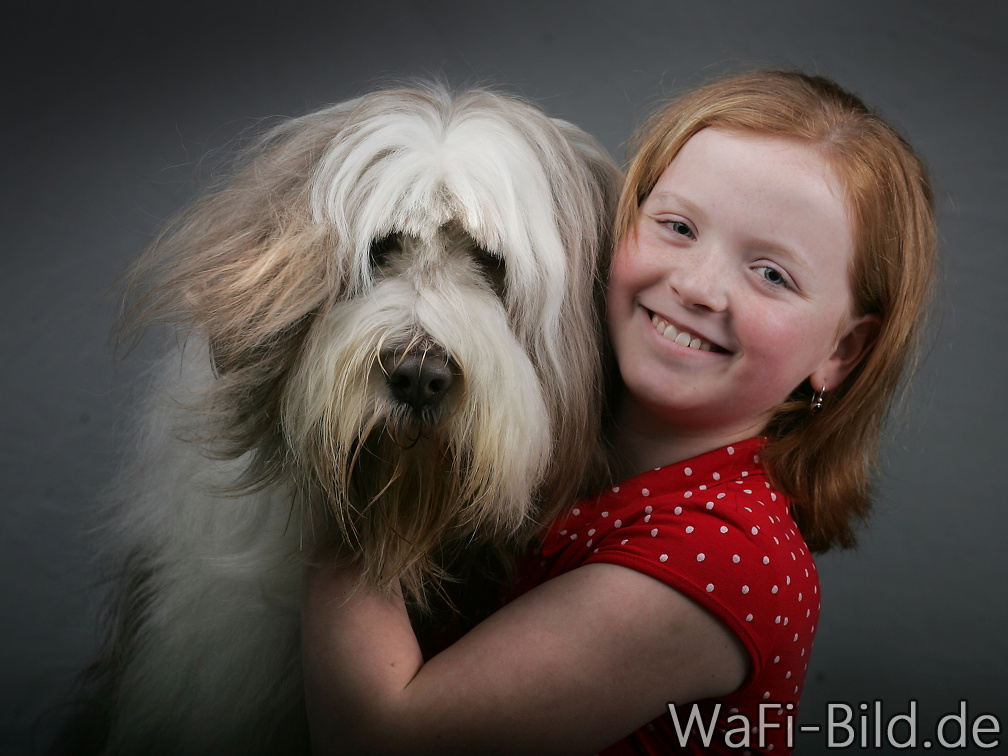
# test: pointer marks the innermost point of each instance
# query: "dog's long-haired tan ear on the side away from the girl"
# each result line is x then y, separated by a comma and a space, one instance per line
245, 270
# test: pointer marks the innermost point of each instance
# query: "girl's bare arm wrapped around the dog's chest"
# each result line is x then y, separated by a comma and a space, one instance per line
571, 667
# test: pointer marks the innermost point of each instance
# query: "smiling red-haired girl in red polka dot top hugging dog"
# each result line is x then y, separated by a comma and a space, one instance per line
776, 258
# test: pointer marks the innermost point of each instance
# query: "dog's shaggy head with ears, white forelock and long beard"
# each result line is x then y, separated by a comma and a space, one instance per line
401, 297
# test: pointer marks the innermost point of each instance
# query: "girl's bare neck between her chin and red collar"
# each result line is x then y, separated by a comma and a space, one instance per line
643, 440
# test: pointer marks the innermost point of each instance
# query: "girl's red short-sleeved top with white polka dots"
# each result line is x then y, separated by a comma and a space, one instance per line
714, 530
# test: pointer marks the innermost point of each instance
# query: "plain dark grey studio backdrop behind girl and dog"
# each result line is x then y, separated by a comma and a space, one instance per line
113, 116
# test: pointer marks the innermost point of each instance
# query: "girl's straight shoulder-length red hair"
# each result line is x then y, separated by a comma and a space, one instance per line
824, 462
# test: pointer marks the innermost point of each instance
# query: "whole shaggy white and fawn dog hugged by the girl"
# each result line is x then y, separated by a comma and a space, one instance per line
389, 338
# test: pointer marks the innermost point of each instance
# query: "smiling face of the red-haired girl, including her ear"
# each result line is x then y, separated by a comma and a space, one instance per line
732, 289
